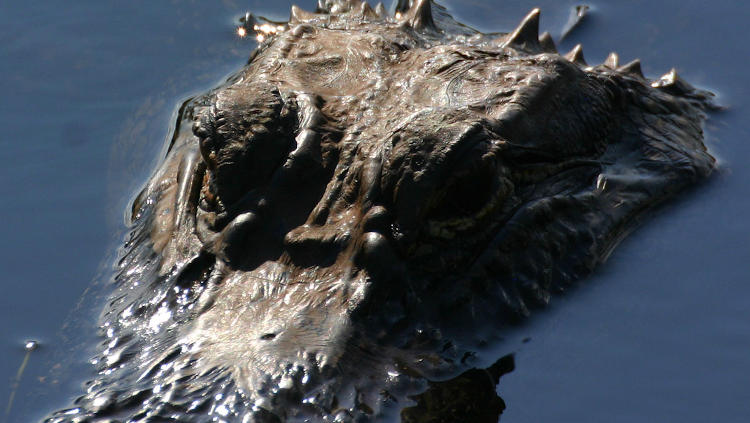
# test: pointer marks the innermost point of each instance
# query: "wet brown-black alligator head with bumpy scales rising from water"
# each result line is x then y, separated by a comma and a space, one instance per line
336, 227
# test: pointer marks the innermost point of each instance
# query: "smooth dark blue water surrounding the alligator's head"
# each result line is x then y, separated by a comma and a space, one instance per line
89, 90
